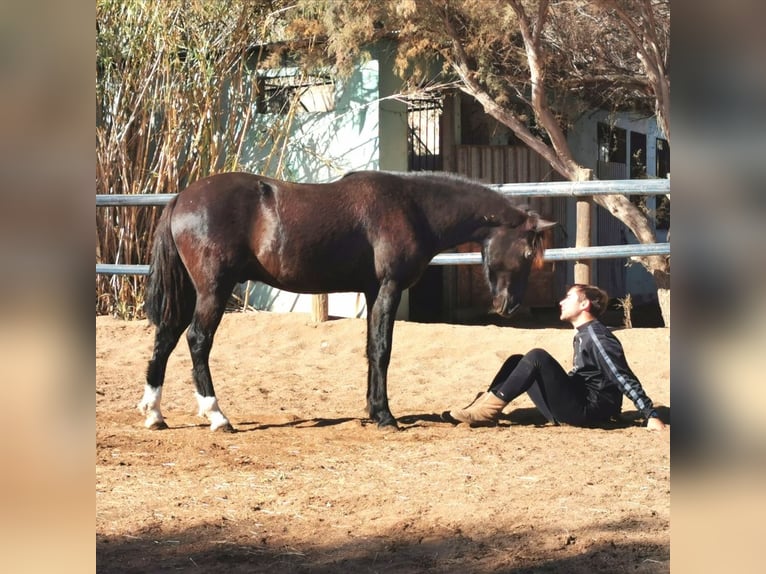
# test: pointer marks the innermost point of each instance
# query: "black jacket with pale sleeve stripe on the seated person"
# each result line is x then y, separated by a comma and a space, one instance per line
600, 361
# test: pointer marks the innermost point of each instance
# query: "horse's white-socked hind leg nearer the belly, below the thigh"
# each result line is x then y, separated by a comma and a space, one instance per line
207, 317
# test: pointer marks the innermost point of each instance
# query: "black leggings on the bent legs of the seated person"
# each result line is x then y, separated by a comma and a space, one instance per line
560, 397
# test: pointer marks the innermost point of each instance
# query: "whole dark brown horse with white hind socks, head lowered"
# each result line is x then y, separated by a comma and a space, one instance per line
369, 232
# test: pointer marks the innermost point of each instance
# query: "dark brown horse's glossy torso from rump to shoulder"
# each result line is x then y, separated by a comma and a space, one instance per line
302, 237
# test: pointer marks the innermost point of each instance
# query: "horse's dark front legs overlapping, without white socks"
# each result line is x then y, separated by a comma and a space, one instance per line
381, 311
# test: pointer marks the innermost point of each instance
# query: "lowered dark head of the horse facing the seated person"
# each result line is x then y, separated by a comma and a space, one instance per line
508, 255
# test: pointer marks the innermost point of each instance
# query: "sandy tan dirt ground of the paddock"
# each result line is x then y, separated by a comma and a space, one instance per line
308, 484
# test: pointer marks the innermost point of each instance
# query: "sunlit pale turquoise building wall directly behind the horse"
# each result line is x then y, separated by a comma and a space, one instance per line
362, 132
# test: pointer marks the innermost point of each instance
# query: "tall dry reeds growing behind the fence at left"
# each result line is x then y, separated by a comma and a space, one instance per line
174, 102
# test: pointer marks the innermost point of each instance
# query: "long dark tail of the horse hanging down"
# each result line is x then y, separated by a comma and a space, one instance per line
169, 290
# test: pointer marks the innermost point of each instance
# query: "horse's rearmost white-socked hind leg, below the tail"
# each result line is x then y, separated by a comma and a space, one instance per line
165, 339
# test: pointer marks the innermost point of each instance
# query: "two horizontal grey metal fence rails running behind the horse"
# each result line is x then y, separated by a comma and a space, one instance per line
547, 189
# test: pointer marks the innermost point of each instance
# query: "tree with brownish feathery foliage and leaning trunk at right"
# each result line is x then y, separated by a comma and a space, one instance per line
534, 66
